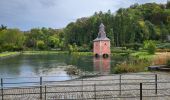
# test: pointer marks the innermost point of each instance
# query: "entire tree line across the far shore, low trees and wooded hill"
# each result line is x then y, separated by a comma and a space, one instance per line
126, 27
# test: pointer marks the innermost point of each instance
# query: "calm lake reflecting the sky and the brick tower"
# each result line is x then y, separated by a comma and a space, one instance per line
53, 65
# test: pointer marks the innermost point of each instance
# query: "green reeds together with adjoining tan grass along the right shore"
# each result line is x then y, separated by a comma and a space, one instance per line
141, 61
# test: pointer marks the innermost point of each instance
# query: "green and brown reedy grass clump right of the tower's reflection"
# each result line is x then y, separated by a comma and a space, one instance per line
137, 62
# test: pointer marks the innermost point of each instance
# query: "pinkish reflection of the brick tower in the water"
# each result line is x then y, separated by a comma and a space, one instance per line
101, 65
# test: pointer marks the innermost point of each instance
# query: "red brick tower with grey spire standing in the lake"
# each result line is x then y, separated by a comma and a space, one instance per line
101, 45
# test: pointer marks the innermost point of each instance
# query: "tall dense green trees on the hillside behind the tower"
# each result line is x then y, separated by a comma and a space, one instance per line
128, 26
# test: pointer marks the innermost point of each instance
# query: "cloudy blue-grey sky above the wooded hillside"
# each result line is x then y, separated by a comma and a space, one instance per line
27, 14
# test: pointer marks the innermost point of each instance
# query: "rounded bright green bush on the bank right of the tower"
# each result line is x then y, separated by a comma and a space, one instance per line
150, 46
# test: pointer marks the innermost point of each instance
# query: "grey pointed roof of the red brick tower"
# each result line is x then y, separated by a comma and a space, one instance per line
102, 33
